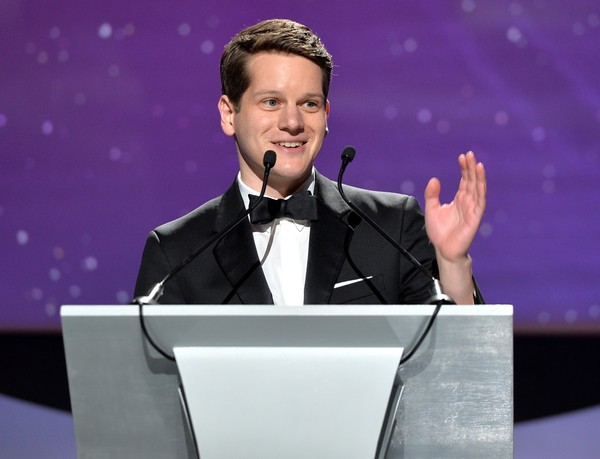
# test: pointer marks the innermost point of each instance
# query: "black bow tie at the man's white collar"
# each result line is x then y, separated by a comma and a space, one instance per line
301, 206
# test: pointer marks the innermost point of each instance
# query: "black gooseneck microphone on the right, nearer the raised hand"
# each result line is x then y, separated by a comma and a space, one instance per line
438, 297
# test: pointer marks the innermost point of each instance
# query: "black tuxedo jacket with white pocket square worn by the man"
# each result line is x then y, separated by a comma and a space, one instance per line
341, 248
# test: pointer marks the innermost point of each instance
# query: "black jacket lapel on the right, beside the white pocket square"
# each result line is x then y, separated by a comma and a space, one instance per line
326, 246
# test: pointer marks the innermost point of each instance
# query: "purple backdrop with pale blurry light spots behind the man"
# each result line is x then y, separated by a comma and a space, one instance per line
109, 127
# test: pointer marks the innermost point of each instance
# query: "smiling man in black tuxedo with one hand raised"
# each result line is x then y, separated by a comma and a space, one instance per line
275, 79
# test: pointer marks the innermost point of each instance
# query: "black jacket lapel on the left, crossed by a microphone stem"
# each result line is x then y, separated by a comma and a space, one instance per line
236, 253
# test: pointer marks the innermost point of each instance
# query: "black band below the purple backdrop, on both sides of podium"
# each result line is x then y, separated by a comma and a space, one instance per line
554, 373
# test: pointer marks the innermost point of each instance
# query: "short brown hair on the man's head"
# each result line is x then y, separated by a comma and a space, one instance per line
274, 35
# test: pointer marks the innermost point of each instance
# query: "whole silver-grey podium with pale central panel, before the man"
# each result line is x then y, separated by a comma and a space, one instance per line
294, 382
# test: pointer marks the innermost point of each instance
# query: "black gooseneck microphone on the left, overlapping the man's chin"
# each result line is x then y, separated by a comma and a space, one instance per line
157, 290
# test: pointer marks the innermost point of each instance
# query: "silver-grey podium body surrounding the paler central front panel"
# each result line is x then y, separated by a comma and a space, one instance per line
457, 399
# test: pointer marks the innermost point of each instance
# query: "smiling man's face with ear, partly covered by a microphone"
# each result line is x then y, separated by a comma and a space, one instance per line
284, 110
